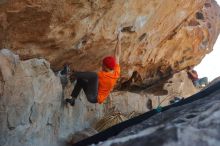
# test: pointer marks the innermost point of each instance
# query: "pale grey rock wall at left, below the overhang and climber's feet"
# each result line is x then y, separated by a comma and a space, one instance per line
32, 111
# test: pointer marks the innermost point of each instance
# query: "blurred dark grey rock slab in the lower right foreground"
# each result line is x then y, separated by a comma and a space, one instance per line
193, 124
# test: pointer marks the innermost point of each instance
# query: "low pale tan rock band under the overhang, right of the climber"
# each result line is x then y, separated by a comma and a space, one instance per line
178, 85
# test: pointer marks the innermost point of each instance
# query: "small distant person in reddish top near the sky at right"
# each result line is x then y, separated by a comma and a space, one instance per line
198, 82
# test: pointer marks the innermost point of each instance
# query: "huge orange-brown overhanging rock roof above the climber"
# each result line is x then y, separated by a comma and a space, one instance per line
159, 36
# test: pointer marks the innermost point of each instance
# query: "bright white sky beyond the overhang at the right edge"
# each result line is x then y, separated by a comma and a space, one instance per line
210, 65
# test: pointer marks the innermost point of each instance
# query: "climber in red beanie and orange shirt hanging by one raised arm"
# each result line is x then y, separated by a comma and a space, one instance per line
97, 86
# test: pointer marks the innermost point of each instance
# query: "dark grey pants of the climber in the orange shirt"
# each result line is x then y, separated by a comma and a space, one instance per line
88, 81
